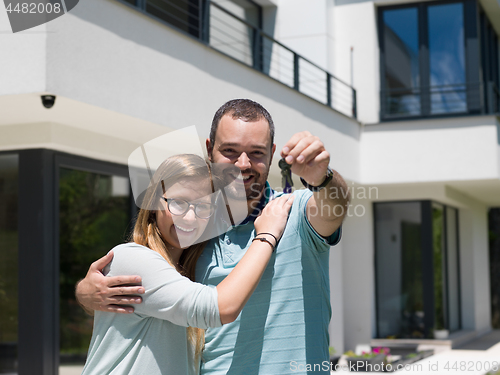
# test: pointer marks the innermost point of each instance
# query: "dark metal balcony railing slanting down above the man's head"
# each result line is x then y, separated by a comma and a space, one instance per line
222, 30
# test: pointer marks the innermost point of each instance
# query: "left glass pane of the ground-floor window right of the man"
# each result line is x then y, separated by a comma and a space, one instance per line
400, 301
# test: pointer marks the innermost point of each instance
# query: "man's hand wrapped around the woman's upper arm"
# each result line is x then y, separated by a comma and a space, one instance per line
98, 292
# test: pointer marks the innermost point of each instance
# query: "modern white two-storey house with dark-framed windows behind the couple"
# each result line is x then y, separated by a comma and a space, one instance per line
404, 94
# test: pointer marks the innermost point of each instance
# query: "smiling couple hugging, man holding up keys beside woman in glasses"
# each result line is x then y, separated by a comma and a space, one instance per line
252, 300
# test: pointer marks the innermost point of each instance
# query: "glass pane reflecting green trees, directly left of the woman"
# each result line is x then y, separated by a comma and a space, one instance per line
94, 216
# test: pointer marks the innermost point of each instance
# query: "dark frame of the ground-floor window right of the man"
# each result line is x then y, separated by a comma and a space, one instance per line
427, 263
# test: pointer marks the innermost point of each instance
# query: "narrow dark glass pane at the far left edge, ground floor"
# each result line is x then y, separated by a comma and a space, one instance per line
9, 187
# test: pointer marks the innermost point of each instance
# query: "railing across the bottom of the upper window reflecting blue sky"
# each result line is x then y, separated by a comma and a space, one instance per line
445, 100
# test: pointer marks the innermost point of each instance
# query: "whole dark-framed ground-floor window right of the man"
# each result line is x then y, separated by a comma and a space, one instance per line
417, 269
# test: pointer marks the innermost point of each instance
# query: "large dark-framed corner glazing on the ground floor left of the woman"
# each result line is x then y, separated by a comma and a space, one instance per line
58, 213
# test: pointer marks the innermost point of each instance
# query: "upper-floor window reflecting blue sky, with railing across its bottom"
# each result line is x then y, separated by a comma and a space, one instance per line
430, 60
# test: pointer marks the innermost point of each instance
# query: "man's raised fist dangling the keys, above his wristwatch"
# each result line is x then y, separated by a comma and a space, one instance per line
307, 156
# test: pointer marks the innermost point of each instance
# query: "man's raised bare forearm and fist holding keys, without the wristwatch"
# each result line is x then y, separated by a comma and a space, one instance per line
309, 159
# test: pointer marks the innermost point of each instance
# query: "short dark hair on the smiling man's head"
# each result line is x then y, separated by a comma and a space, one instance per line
244, 109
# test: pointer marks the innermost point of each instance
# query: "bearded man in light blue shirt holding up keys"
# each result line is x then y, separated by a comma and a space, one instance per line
284, 326
